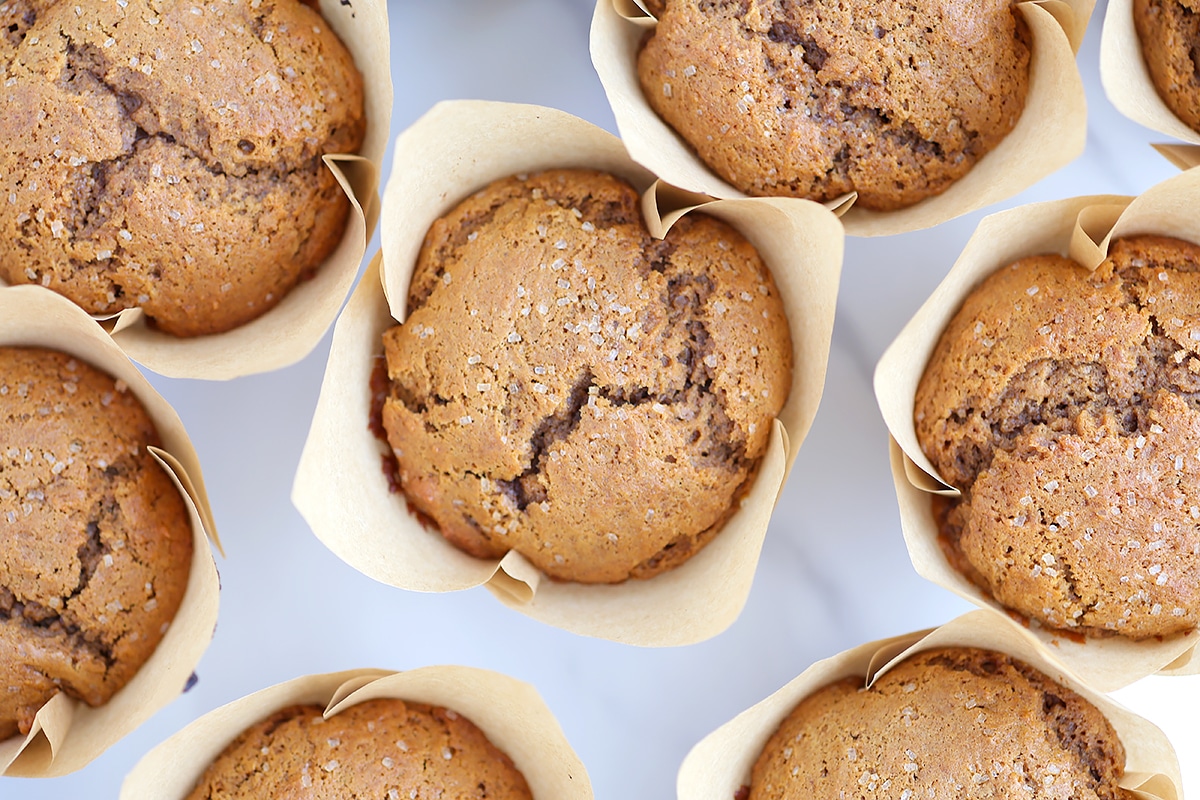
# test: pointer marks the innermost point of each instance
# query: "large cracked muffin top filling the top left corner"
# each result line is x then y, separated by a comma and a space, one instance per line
166, 157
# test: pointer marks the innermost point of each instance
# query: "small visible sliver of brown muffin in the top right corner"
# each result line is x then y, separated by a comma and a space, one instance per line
1169, 32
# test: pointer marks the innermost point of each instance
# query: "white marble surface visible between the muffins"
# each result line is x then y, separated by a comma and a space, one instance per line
835, 572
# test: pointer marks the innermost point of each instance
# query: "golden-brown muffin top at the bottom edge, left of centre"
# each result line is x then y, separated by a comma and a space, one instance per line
386, 749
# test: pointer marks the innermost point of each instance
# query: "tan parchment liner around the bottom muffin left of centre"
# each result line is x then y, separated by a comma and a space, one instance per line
512, 714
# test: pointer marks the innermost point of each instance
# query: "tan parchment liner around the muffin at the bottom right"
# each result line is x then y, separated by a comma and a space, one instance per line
722, 762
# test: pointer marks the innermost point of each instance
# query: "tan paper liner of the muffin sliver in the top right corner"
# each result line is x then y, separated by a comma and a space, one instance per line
1127, 81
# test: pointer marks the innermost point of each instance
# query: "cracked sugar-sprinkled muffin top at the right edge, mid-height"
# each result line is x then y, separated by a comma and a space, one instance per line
1065, 405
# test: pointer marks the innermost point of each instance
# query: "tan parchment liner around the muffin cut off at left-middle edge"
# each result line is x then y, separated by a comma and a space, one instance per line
67, 733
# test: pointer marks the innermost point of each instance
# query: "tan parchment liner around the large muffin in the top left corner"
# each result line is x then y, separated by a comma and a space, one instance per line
291, 330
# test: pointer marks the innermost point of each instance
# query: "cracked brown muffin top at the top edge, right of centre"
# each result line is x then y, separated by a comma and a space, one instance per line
892, 100
